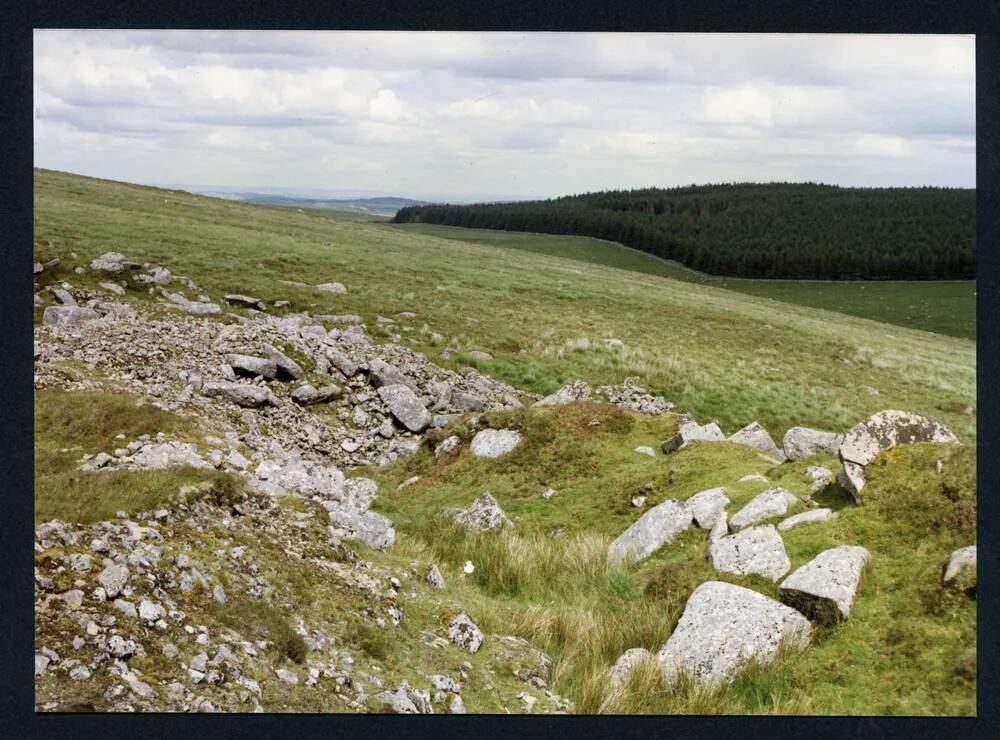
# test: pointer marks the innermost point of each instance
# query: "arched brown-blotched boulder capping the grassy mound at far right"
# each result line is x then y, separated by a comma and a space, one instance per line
880, 432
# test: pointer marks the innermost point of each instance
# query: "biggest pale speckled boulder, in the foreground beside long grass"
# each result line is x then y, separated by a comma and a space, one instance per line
725, 627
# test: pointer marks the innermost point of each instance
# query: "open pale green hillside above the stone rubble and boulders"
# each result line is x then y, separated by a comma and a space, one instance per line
715, 353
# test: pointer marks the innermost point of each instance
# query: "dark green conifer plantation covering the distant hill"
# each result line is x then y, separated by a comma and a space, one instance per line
774, 230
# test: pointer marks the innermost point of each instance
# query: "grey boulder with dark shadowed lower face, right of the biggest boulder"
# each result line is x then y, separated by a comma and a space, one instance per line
824, 588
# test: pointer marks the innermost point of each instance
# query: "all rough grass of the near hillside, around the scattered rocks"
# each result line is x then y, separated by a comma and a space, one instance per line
907, 649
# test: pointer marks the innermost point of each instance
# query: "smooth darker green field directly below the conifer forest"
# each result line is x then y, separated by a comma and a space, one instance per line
947, 307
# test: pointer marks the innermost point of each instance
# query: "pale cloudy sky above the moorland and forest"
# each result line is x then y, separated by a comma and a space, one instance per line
468, 116
